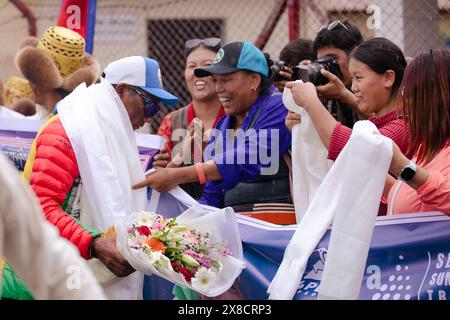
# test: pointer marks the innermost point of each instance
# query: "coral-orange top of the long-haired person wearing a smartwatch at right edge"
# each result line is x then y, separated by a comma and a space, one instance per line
433, 195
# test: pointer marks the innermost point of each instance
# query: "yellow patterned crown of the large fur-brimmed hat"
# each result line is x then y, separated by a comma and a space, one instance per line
65, 46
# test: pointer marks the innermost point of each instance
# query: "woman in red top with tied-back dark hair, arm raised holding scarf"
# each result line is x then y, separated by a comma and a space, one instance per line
376, 67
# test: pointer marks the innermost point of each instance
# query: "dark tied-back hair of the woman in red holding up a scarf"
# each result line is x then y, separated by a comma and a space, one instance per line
381, 55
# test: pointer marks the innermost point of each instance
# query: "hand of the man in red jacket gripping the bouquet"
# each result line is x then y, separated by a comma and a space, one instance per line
106, 251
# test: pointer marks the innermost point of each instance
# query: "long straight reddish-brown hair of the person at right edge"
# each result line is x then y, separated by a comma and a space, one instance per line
426, 102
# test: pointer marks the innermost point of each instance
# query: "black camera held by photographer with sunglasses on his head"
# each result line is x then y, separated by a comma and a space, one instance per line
311, 72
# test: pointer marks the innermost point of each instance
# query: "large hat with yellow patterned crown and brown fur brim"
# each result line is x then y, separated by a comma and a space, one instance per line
57, 60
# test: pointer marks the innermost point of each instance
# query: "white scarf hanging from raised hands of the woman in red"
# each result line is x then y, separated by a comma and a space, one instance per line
309, 158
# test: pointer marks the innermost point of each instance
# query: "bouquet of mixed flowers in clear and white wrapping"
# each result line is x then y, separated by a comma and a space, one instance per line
186, 250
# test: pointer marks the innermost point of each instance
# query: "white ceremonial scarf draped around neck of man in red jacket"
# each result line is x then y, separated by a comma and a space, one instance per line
102, 138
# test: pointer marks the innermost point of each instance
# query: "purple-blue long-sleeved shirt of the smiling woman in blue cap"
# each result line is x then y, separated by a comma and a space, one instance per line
248, 155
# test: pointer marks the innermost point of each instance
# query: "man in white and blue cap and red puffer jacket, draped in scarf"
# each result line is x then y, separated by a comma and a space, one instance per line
86, 160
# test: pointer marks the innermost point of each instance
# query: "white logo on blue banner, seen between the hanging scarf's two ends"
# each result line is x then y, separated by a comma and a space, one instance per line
309, 286
